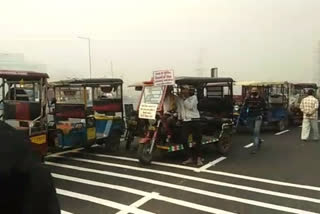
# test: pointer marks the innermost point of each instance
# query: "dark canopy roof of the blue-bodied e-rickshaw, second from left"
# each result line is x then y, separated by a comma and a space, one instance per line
88, 82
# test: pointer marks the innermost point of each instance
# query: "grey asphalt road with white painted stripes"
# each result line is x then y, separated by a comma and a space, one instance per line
284, 177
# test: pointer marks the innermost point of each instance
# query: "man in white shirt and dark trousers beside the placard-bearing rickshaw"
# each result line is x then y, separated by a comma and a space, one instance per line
191, 124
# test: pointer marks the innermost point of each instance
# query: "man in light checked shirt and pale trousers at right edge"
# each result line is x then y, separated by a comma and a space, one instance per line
309, 106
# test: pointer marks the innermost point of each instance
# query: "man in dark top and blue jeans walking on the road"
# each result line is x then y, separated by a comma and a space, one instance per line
255, 106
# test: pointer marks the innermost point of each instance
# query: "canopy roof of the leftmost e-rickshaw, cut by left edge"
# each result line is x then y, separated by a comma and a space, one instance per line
14, 75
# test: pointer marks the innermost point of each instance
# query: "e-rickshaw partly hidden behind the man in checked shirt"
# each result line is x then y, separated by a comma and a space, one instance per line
298, 92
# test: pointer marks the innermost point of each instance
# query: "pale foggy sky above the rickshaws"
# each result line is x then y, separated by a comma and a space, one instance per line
245, 39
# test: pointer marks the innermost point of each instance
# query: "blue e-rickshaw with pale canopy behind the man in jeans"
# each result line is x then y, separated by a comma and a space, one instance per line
276, 95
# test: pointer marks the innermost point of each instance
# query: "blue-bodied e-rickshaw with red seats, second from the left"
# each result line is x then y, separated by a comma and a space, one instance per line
87, 111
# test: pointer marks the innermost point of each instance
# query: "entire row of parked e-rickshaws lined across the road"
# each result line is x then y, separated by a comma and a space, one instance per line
81, 113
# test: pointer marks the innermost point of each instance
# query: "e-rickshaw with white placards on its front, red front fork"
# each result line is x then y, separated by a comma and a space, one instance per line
215, 106
